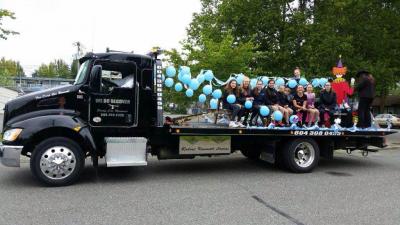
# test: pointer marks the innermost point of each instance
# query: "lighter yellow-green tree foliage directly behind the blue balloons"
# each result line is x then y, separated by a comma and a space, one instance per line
224, 57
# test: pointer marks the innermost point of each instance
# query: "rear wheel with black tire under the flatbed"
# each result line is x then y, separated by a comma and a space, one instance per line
301, 155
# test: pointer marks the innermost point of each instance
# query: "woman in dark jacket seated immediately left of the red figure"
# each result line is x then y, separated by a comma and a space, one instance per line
327, 105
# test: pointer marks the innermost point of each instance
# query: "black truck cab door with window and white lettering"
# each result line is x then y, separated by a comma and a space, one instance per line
114, 102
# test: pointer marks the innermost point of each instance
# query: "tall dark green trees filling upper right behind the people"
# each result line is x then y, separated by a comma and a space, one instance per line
306, 33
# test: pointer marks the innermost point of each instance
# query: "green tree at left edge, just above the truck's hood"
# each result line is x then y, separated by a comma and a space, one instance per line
8, 70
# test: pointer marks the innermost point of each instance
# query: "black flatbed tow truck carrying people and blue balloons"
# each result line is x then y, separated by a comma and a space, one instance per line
113, 113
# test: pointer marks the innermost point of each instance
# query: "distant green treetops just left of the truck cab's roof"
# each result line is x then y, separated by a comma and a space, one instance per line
57, 69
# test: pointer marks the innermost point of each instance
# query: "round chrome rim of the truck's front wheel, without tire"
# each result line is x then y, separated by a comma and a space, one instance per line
57, 162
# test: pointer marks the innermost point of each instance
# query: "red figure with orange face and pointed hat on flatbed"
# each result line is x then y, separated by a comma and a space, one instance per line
340, 85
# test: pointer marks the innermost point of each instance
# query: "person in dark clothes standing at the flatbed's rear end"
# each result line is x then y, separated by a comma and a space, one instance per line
365, 89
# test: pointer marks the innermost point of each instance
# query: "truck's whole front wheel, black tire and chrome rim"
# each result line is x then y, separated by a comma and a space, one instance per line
57, 161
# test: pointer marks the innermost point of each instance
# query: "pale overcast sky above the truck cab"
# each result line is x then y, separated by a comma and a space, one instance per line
48, 28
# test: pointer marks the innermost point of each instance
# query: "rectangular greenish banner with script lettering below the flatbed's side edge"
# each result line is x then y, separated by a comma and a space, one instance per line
200, 145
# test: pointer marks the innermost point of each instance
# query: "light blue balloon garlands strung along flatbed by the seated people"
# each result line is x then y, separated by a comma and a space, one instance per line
206, 78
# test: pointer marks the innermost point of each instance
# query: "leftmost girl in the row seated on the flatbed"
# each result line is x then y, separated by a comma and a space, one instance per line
232, 89
